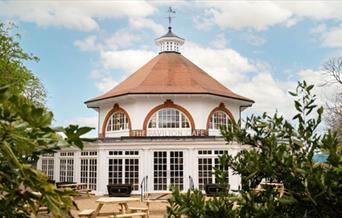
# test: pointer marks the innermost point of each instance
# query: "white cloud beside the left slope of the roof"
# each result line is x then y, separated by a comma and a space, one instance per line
112, 59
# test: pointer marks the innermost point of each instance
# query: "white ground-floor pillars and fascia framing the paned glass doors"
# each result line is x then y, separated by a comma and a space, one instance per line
146, 149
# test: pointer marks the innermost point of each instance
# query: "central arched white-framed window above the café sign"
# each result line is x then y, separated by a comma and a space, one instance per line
168, 118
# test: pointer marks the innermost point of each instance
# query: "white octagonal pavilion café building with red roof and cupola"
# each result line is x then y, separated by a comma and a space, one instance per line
159, 127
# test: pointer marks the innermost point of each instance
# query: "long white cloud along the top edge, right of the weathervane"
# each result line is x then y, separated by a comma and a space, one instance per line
261, 15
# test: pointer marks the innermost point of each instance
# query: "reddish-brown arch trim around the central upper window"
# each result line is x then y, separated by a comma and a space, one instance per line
168, 104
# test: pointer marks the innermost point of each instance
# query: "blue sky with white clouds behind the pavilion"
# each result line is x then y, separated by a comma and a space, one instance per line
259, 49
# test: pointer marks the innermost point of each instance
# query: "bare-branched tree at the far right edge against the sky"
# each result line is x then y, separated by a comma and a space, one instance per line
333, 70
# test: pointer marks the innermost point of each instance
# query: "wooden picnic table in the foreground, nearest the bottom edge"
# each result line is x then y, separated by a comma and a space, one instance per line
121, 201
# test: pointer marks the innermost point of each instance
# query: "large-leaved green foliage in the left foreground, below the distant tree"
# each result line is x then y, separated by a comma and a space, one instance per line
25, 134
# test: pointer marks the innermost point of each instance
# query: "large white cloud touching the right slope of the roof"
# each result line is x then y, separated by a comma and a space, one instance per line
270, 94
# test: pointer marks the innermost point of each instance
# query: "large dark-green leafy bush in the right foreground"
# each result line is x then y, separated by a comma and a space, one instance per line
281, 151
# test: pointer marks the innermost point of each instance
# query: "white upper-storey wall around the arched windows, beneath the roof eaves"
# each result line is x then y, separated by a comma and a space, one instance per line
138, 108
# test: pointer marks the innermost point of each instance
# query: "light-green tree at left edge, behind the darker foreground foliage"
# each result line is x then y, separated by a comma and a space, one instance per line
13, 72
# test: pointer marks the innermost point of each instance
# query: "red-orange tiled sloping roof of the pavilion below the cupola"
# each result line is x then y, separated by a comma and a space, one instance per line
170, 73
